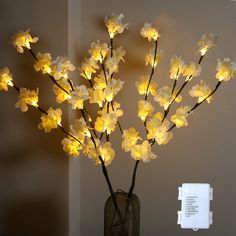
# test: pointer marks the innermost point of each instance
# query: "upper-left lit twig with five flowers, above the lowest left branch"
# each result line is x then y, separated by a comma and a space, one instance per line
58, 72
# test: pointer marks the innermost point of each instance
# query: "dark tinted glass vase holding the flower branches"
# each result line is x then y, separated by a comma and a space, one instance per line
129, 223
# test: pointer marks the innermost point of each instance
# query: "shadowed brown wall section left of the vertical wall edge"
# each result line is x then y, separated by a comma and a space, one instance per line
33, 168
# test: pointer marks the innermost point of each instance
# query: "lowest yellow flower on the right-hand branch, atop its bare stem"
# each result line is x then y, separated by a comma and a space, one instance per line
142, 152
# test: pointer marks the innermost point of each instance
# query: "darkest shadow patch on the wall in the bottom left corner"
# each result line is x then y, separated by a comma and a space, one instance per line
30, 217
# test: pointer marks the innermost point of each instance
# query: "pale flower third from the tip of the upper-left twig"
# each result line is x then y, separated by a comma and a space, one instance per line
61, 67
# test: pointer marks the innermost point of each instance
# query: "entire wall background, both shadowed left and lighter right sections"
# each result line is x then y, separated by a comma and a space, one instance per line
33, 169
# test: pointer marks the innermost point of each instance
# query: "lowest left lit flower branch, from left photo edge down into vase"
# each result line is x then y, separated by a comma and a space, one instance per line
51, 119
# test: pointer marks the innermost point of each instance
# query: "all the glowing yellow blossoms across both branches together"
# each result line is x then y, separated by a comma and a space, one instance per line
101, 87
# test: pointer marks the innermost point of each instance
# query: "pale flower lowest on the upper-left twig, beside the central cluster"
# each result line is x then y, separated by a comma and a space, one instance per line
78, 97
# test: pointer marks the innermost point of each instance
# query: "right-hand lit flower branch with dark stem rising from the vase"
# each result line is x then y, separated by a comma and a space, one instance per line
157, 127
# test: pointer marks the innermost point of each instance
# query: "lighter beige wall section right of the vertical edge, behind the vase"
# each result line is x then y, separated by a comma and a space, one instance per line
203, 152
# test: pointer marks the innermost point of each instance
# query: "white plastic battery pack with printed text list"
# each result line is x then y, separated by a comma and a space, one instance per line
195, 206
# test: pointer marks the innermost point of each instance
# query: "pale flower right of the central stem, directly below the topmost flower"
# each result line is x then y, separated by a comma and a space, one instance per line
112, 63
